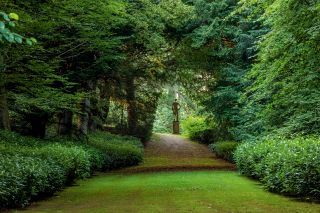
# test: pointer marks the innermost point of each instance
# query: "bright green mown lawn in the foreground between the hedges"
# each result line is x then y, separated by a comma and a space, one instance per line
171, 192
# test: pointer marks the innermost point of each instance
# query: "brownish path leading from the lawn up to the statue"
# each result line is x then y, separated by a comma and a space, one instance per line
174, 153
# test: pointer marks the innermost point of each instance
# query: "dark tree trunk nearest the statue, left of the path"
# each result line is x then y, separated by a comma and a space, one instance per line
132, 106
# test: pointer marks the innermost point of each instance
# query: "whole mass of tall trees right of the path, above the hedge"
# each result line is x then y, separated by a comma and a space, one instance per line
256, 71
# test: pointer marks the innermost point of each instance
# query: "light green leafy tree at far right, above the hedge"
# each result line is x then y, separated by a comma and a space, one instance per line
282, 95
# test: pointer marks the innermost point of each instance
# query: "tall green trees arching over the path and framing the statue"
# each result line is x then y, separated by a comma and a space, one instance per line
249, 66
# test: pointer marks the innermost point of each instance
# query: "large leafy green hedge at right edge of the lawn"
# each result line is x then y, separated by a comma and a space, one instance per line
291, 167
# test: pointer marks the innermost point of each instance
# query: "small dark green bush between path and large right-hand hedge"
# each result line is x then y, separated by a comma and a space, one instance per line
224, 149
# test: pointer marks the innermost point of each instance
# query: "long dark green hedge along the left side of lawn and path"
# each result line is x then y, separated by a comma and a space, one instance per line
31, 168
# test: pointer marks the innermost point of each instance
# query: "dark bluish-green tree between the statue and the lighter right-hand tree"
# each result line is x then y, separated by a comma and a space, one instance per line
222, 50
